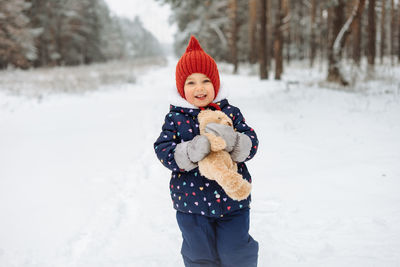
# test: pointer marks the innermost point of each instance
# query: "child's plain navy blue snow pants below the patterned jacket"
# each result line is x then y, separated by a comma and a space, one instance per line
217, 242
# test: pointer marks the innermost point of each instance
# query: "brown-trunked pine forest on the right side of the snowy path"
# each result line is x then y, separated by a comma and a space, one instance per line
273, 33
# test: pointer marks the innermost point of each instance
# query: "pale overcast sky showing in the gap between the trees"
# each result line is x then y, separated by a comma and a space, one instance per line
153, 15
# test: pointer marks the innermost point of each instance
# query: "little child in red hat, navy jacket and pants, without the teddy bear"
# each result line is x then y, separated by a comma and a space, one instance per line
215, 228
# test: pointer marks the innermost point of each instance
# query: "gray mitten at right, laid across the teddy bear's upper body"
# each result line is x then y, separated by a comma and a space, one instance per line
238, 144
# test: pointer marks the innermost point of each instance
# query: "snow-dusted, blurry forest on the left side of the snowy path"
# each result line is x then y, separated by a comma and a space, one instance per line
38, 33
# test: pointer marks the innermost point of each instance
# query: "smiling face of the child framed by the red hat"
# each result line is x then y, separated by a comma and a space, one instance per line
199, 90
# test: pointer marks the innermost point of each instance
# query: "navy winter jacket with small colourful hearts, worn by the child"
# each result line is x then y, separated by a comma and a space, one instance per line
191, 192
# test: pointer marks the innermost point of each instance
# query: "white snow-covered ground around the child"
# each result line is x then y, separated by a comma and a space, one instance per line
80, 184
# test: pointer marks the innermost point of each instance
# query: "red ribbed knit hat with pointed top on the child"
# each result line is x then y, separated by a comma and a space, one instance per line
195, 60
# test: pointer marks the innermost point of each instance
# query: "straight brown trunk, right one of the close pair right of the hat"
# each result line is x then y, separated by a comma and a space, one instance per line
278, 42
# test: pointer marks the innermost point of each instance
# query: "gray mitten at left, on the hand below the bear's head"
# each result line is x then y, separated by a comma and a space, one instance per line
187, 154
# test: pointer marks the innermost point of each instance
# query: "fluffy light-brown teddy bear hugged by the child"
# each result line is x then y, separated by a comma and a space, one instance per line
218, 165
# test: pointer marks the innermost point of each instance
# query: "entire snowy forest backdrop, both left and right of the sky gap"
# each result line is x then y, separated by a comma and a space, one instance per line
270, 33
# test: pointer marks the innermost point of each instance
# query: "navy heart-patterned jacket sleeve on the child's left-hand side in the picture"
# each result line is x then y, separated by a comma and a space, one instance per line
166, 143
